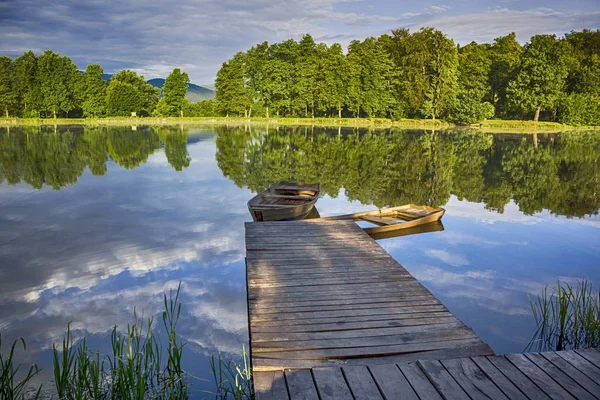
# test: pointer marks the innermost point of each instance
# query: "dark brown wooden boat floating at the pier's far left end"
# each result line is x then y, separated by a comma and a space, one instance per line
284, 201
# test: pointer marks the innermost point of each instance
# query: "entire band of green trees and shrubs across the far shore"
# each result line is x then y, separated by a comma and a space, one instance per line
401, 77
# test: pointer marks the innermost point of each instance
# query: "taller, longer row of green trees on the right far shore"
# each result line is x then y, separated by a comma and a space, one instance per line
421, 74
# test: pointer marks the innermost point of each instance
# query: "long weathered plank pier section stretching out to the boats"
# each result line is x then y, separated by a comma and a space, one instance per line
323, 293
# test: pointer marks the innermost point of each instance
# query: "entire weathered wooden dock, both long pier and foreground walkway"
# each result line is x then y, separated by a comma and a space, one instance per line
333, 316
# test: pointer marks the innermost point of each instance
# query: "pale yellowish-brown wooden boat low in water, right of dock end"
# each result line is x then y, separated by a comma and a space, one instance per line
395, 218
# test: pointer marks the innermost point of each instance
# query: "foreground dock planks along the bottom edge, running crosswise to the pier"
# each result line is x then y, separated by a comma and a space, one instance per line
551, 375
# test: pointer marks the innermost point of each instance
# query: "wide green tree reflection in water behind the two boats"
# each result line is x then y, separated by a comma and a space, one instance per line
560, 173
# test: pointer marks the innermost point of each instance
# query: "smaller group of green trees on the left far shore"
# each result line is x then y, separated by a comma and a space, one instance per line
50, 85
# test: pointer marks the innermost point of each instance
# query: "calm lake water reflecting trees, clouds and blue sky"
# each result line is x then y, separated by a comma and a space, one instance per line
95, 222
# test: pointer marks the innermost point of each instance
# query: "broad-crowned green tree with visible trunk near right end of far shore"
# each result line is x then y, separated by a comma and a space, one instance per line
542, 75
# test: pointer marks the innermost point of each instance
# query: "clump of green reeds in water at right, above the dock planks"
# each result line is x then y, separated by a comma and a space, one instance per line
568, 318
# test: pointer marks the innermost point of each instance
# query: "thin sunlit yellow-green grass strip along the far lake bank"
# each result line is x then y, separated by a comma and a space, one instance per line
489, 126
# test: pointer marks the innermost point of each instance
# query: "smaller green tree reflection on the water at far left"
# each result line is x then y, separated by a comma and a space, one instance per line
42, 156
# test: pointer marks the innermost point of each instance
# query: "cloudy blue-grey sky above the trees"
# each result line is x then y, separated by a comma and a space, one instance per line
153, 37
